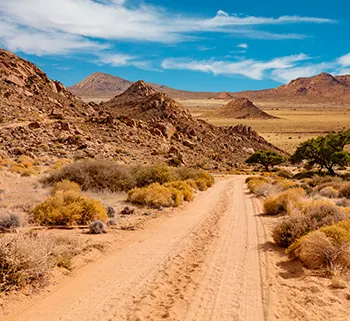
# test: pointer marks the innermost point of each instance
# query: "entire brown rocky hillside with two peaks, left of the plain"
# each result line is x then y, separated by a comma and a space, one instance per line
40, 118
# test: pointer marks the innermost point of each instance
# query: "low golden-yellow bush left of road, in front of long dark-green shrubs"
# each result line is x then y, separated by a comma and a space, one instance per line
156, 195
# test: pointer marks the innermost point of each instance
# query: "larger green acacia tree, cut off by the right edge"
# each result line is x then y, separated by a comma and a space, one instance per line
324, 151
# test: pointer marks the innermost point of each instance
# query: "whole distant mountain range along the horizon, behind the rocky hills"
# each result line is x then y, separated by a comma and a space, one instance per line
323, 88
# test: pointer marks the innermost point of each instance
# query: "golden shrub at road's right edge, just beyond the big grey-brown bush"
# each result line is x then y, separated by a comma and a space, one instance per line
277, 204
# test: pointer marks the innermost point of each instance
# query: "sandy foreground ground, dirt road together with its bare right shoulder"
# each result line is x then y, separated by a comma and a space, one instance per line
211, 259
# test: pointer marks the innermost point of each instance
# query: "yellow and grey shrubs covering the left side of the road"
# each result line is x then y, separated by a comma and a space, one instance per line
28, 256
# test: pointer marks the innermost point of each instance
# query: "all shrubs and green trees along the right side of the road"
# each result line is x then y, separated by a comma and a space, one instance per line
312, 208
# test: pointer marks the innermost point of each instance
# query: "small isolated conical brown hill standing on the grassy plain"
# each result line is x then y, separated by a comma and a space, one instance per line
240, 108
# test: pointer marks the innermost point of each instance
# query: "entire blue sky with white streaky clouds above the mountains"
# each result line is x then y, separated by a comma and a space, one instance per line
221, 45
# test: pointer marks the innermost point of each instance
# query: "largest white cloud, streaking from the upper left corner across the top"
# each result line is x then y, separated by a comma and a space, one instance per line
81, 21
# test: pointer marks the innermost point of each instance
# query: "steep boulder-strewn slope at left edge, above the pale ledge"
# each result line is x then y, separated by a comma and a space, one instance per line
27, 93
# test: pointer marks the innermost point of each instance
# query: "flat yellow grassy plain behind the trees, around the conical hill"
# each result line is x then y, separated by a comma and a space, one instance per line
297, 122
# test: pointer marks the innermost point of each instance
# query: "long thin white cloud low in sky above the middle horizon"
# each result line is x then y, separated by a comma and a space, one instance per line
249, 68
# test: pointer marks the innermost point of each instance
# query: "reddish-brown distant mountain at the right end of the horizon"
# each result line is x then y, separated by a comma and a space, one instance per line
323, 88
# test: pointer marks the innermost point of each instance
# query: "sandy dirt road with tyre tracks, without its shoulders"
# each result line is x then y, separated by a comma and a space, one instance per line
202, 263
